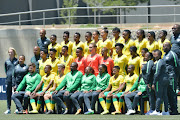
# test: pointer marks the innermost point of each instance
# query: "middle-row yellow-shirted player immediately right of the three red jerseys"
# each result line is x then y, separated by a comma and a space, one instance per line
121, 59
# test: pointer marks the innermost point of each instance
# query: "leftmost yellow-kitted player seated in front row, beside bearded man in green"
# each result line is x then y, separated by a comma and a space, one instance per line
46, 84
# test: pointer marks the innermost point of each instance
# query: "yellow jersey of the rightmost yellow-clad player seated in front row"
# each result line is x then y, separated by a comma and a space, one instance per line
130, 80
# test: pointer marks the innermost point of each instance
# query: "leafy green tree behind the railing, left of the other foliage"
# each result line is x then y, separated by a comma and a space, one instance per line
71, 12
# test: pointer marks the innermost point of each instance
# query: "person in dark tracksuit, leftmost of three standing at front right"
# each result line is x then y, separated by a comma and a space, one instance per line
147, 75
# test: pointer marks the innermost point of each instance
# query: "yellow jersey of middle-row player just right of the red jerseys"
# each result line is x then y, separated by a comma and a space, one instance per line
122, 63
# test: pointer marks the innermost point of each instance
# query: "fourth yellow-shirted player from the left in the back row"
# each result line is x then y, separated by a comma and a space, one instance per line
88, 37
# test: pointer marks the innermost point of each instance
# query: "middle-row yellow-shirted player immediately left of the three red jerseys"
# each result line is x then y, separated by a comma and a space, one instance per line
66, 59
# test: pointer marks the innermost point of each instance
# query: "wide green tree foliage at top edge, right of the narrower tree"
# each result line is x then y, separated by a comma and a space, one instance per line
101, 3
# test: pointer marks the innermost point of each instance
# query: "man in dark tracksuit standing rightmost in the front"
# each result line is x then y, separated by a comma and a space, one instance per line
172, 66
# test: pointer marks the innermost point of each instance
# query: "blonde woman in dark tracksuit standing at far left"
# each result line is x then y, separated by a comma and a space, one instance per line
9, 68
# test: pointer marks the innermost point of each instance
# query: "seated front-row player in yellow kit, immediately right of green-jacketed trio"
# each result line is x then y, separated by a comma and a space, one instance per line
115, 81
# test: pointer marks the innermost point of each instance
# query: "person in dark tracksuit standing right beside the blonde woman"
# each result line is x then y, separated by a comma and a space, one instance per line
19, 72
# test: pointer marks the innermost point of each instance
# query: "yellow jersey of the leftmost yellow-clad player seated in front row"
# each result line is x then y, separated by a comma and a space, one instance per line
46, 81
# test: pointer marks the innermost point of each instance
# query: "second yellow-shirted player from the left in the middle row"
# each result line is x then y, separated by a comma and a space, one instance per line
53, 61
